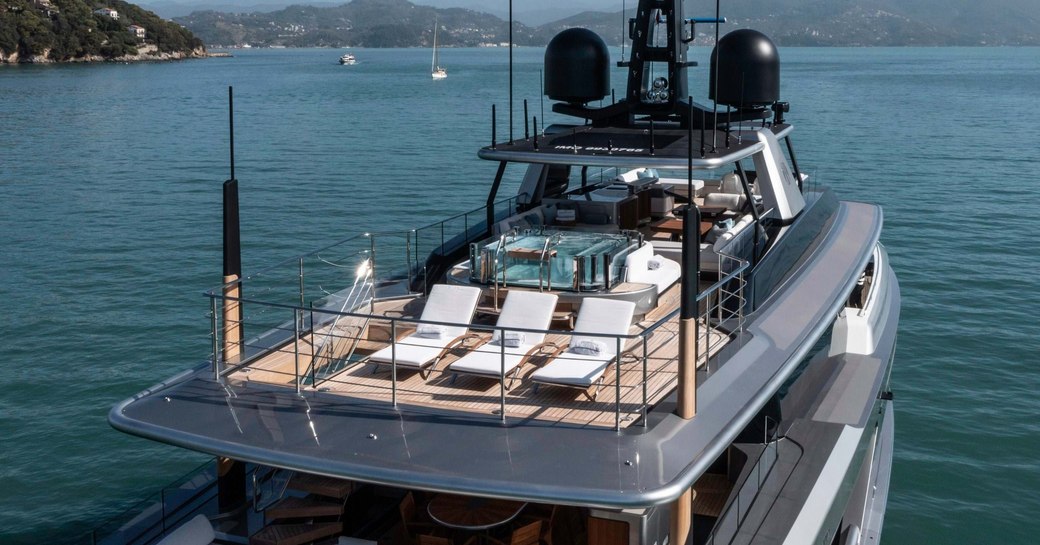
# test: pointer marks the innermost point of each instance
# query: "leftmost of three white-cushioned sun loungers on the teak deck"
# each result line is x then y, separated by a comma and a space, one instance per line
430, 343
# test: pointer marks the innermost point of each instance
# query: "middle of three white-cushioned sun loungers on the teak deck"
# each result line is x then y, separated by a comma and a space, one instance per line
530, 310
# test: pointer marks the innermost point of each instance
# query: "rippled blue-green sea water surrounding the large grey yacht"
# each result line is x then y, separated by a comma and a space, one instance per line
111, 192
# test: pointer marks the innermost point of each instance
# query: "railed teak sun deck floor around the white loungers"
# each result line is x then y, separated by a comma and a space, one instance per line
444, 390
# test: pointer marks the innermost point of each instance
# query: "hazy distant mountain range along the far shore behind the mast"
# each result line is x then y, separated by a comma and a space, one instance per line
400, 23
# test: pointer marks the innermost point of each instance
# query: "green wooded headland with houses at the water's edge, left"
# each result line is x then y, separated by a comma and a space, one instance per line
89, 31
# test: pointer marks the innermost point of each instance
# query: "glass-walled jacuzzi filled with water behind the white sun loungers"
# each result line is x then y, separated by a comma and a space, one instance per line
553, 259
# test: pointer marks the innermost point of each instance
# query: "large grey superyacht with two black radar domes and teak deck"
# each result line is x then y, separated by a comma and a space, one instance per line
670, 334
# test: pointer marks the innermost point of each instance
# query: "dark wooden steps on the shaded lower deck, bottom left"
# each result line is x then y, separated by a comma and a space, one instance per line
299, 520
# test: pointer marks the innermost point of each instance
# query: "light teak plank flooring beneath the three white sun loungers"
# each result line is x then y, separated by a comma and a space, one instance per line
476, 395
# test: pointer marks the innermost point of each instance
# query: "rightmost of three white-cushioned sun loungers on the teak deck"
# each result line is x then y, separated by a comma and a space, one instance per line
585, 362
